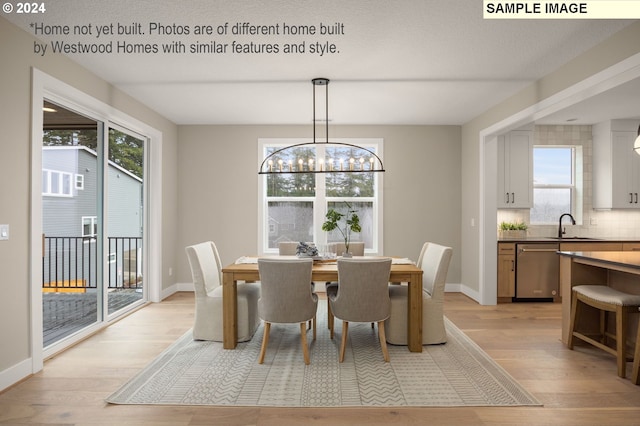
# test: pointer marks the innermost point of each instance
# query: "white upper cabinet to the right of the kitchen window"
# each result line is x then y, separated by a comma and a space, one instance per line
616, 166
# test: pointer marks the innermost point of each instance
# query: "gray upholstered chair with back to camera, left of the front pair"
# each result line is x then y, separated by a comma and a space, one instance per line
286, 297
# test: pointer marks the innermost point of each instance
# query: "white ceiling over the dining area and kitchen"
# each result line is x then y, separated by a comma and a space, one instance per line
396, 61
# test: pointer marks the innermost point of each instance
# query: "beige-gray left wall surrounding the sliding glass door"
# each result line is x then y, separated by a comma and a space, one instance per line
15, 176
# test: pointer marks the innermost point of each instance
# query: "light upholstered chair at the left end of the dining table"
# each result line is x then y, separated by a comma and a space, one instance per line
206, 270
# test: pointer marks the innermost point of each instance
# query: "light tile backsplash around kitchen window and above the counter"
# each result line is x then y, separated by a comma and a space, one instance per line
624, 224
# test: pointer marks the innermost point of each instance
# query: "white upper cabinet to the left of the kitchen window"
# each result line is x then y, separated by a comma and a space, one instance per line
515, 170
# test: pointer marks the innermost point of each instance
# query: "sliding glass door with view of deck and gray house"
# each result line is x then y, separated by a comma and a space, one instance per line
93, 197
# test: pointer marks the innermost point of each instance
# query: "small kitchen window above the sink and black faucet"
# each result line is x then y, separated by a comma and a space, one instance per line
554, 183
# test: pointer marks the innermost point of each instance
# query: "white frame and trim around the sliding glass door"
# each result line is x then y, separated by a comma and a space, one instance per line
50, 88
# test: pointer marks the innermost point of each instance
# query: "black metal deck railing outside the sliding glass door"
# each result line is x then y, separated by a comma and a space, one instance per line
69, 264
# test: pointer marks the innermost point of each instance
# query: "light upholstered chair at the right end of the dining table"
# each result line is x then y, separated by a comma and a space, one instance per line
435, 265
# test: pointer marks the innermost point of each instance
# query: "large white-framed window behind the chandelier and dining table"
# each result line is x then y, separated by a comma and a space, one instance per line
293, 206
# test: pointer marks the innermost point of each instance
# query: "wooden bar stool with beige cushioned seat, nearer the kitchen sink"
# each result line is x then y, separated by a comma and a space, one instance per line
606, 299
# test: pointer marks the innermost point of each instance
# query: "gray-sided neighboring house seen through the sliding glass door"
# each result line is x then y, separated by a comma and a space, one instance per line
70, 220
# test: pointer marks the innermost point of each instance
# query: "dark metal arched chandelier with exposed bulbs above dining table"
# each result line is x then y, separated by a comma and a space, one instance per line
337, 157
